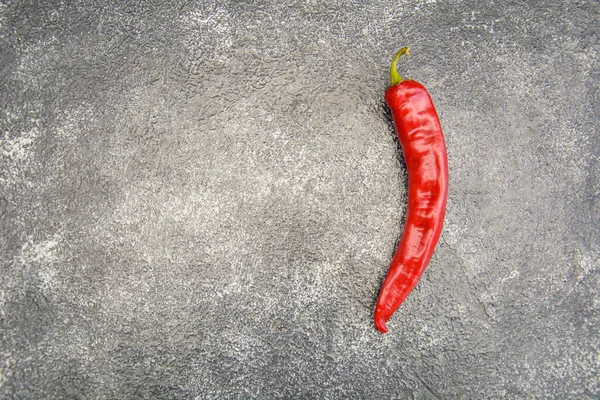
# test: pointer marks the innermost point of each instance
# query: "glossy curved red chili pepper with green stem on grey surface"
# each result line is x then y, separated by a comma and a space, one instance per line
424, 150
